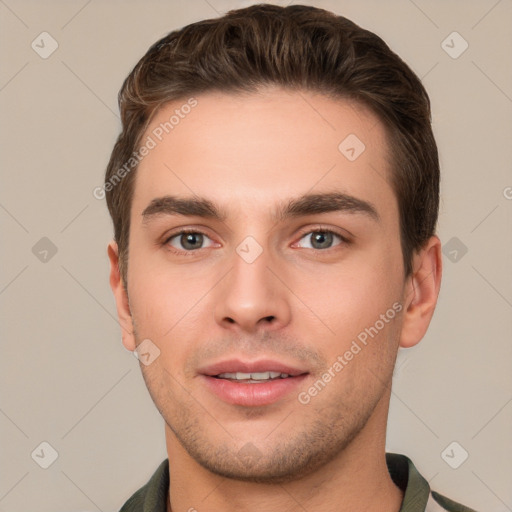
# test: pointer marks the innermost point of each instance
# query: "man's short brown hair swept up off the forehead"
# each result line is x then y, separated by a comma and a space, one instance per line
300, 48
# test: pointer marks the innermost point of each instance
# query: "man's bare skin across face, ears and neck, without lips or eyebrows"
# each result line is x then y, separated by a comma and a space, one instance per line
297, 303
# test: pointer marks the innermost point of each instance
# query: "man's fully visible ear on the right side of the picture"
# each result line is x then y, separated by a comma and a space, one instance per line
421, 292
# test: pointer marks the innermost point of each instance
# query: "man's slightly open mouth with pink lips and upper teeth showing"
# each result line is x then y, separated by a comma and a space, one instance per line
252, 384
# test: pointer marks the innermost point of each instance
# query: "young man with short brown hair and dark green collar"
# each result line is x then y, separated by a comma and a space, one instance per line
274, 194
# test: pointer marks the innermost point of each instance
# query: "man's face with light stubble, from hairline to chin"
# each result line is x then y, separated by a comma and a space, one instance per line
260, 244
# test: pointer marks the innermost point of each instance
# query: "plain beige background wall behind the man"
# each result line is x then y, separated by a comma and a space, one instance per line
65, 377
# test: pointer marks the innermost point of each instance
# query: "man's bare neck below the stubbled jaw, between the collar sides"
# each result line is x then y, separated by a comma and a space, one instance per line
356, 479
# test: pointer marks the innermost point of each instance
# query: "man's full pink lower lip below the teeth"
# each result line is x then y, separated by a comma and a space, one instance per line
252, 394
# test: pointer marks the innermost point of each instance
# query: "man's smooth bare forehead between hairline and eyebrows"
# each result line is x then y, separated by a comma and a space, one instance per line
258, 149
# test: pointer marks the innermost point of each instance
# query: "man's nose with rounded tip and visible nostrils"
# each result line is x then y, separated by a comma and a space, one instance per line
251, 297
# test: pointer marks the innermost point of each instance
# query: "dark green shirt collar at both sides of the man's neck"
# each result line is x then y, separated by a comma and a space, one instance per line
417, 494
